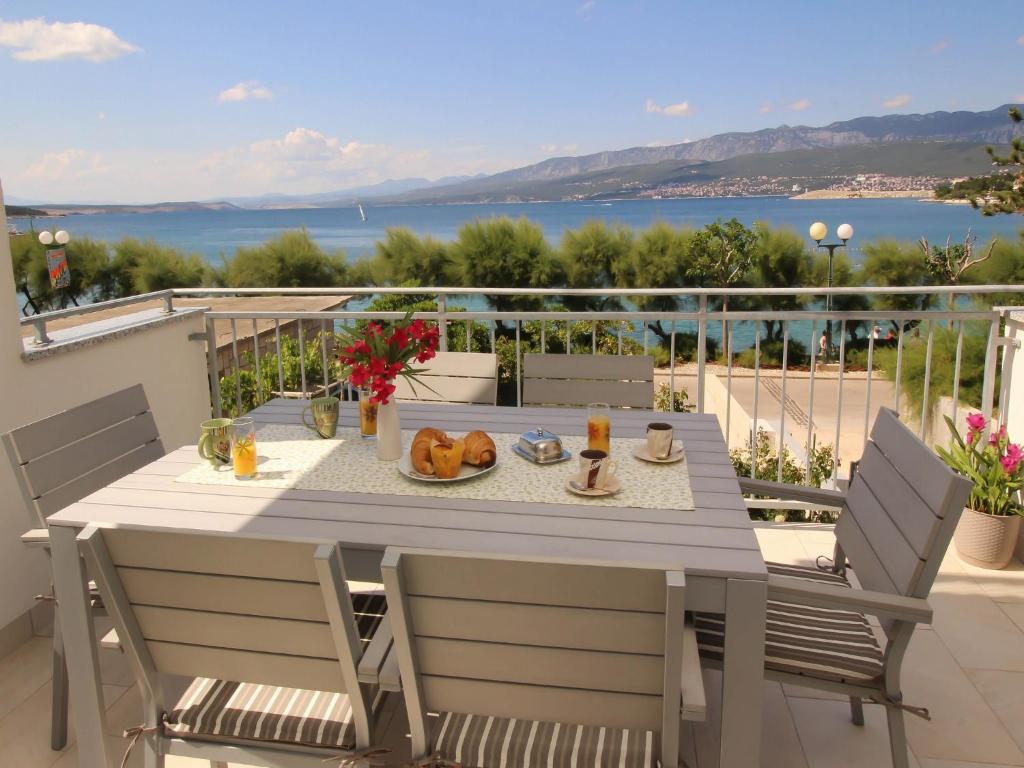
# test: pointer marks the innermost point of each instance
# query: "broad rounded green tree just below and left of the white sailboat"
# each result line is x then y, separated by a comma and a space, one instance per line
290, 261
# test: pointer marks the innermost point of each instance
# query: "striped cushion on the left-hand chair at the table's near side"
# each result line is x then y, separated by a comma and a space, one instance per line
226, 710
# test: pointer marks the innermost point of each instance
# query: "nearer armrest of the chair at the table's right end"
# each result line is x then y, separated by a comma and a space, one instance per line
883, 605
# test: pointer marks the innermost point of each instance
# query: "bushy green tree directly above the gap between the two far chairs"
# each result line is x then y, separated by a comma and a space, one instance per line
502, 253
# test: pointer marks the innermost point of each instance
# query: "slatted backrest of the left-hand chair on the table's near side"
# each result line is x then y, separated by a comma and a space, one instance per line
230, 608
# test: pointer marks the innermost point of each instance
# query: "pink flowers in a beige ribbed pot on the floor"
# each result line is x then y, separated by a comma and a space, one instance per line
988, 533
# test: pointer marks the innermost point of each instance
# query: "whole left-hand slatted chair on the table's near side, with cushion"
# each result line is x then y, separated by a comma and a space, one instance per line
266, 629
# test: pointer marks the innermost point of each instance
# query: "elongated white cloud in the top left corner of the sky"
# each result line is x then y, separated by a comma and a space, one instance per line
35, 40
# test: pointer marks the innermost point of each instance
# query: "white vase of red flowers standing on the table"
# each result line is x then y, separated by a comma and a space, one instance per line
377, 355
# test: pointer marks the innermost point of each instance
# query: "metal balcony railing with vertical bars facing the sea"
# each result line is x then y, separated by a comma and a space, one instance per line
554, 328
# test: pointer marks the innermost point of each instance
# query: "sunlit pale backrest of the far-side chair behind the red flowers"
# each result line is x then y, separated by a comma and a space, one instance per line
454, 377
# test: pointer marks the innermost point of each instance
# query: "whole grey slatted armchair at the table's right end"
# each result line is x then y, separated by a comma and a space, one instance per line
897, 523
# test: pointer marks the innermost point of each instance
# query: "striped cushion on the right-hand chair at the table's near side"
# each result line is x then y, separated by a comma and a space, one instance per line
481, 742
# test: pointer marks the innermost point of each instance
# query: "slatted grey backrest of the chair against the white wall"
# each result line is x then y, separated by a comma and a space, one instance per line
64, 458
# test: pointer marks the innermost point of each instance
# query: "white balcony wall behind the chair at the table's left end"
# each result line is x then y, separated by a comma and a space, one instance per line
172, 369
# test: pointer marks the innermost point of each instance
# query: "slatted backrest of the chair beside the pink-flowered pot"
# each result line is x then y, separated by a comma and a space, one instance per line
902, 510
